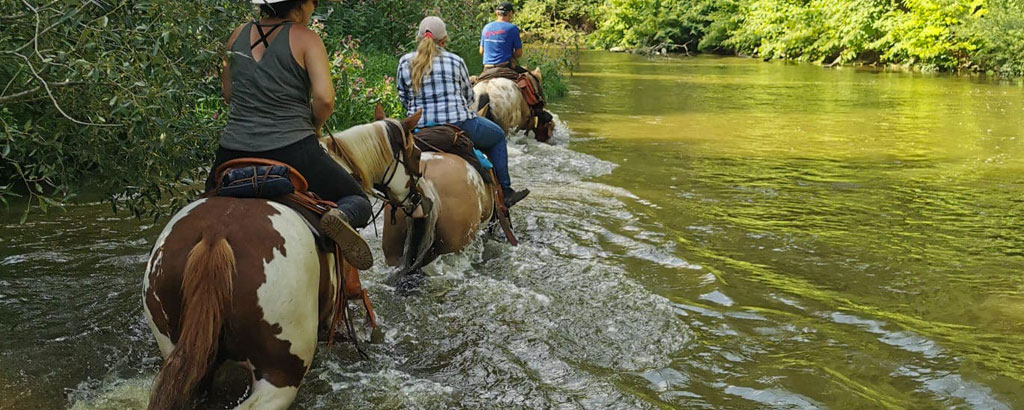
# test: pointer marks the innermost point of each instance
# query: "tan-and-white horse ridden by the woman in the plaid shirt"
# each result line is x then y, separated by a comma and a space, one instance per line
460, 204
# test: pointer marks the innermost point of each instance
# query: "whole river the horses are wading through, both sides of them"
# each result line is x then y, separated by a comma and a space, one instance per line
706, 233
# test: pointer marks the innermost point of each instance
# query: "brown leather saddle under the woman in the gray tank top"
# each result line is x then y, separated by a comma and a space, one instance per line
312, 208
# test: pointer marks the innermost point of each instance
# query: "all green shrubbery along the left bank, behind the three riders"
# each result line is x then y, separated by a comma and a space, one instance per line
123, 97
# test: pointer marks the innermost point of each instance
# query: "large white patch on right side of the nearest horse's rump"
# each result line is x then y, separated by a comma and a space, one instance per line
289, 296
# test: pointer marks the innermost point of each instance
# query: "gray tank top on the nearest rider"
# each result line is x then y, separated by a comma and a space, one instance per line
270, 107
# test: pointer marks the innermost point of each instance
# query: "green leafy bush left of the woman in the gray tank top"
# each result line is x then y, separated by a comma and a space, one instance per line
123, 96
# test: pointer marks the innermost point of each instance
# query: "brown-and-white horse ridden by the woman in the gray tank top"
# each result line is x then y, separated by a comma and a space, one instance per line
243, 280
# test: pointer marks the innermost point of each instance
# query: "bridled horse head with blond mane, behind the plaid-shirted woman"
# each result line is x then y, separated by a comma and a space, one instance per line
383, 157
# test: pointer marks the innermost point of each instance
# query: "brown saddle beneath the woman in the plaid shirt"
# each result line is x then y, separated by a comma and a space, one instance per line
452, 140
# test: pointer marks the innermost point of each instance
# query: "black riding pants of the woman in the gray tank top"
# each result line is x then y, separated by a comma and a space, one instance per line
327, 179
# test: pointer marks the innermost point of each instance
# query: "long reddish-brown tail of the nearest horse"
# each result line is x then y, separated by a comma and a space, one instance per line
206, 292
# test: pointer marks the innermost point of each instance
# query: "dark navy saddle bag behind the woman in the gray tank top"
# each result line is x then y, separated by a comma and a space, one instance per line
257, 182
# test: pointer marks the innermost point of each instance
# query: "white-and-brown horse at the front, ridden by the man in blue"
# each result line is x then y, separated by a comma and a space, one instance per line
506, 106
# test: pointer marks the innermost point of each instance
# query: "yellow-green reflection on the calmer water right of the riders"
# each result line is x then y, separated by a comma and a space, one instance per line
867, 225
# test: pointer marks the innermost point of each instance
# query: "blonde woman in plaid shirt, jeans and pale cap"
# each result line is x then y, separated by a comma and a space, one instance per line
438, 83
